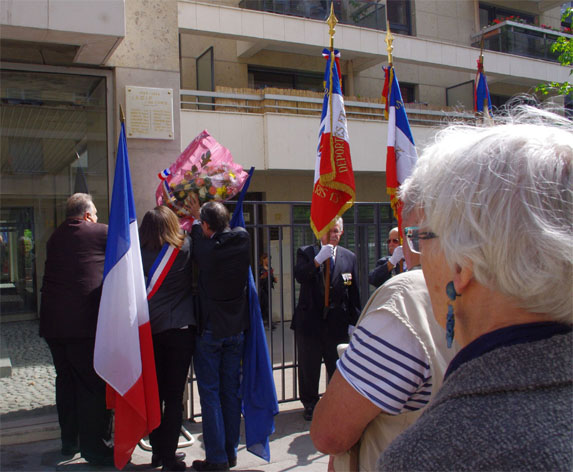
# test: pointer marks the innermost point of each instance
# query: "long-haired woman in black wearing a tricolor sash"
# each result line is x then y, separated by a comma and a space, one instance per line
166, 256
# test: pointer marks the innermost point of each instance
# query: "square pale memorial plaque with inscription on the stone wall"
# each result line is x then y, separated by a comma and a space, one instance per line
149, 112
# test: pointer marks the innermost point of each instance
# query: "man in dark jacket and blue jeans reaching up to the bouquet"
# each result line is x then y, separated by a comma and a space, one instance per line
223, 257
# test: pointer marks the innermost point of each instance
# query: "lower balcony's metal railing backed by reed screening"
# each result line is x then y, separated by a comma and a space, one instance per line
298, 102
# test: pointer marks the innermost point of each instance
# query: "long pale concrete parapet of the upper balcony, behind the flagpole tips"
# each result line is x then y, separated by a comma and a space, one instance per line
256, 30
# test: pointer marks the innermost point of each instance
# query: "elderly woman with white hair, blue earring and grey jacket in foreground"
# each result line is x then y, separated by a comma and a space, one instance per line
495, 237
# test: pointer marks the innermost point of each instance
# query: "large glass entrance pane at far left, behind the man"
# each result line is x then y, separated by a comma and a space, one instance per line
54, 142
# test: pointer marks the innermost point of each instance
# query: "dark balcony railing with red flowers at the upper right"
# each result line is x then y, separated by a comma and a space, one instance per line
519, 39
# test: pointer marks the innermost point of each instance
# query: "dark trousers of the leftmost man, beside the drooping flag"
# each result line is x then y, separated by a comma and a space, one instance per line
80, 397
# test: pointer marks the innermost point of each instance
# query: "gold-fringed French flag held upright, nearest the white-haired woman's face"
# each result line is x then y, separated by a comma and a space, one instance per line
401, 154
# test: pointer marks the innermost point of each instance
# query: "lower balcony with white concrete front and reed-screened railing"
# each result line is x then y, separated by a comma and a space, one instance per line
274, 131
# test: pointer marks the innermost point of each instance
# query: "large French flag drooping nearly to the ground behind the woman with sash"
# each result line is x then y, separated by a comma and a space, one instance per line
123, 354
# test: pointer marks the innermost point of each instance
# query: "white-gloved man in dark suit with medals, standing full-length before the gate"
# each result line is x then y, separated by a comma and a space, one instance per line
318, 329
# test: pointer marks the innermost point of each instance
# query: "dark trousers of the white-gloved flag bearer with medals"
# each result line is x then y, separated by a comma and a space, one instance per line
311, 351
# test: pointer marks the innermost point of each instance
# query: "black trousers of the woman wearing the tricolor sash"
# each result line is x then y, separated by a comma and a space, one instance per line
173, 351
